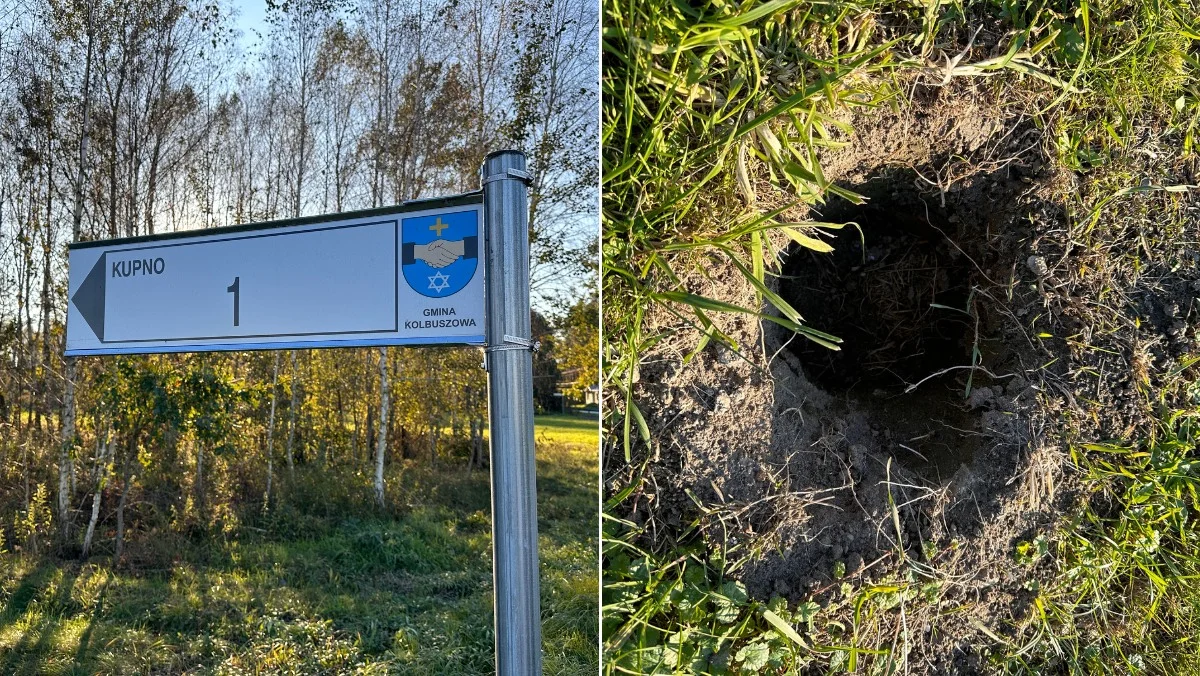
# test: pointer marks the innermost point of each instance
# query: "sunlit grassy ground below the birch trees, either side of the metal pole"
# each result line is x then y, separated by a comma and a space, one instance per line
322, 591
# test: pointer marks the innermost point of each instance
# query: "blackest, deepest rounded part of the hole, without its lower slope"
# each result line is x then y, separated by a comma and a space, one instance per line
899, 304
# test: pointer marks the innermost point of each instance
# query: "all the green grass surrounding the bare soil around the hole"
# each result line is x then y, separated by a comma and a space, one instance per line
716, 124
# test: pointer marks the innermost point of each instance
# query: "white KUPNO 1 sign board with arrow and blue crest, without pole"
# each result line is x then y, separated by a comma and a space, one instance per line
405, 276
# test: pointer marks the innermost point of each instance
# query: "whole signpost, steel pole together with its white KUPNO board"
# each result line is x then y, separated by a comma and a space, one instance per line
434, 272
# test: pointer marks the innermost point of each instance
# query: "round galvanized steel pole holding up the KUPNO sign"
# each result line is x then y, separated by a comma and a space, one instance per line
509, 362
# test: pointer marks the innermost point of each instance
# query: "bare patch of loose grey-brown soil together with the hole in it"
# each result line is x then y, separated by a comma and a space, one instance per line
981, 339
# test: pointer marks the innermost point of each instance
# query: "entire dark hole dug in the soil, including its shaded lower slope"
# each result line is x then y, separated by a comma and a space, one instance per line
898, 292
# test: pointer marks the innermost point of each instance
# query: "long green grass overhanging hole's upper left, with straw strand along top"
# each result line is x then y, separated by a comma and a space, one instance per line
715, 117
